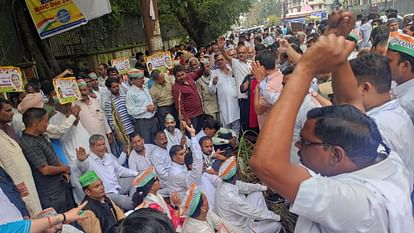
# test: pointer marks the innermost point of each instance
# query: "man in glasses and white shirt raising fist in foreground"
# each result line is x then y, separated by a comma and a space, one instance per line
345, 183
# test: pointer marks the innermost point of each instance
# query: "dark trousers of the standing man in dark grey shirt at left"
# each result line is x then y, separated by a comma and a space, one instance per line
61, 202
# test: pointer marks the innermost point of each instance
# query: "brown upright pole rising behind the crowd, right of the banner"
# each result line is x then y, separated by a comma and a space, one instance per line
149, 12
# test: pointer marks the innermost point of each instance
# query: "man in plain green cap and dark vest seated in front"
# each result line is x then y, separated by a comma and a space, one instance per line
101, 211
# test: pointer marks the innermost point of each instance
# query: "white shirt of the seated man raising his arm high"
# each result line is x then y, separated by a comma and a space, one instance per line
179, 178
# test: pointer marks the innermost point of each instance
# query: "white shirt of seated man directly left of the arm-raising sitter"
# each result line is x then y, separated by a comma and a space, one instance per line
161, 160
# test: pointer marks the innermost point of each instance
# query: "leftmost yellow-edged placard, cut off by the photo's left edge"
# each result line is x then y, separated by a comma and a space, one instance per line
11, 79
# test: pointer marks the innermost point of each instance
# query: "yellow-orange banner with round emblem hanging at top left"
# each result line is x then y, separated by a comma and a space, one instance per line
52, 17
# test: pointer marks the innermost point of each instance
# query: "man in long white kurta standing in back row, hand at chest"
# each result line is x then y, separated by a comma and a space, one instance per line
225, 87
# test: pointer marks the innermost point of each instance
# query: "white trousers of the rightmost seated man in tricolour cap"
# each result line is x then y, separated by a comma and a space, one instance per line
266, 226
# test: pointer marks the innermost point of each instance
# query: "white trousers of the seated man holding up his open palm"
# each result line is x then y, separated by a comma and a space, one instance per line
123, 198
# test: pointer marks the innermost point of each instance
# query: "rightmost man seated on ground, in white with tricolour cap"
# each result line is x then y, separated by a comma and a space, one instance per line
249, 213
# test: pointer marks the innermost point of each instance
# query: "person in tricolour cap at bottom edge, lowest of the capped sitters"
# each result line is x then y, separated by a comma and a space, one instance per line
200, 217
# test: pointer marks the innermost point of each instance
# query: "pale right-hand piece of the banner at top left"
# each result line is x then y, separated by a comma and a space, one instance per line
94, 8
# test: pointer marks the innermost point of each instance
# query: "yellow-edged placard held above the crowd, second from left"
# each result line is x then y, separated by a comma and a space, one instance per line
67, 90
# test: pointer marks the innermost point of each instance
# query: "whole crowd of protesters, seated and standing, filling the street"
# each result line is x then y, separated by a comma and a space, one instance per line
333, 106
